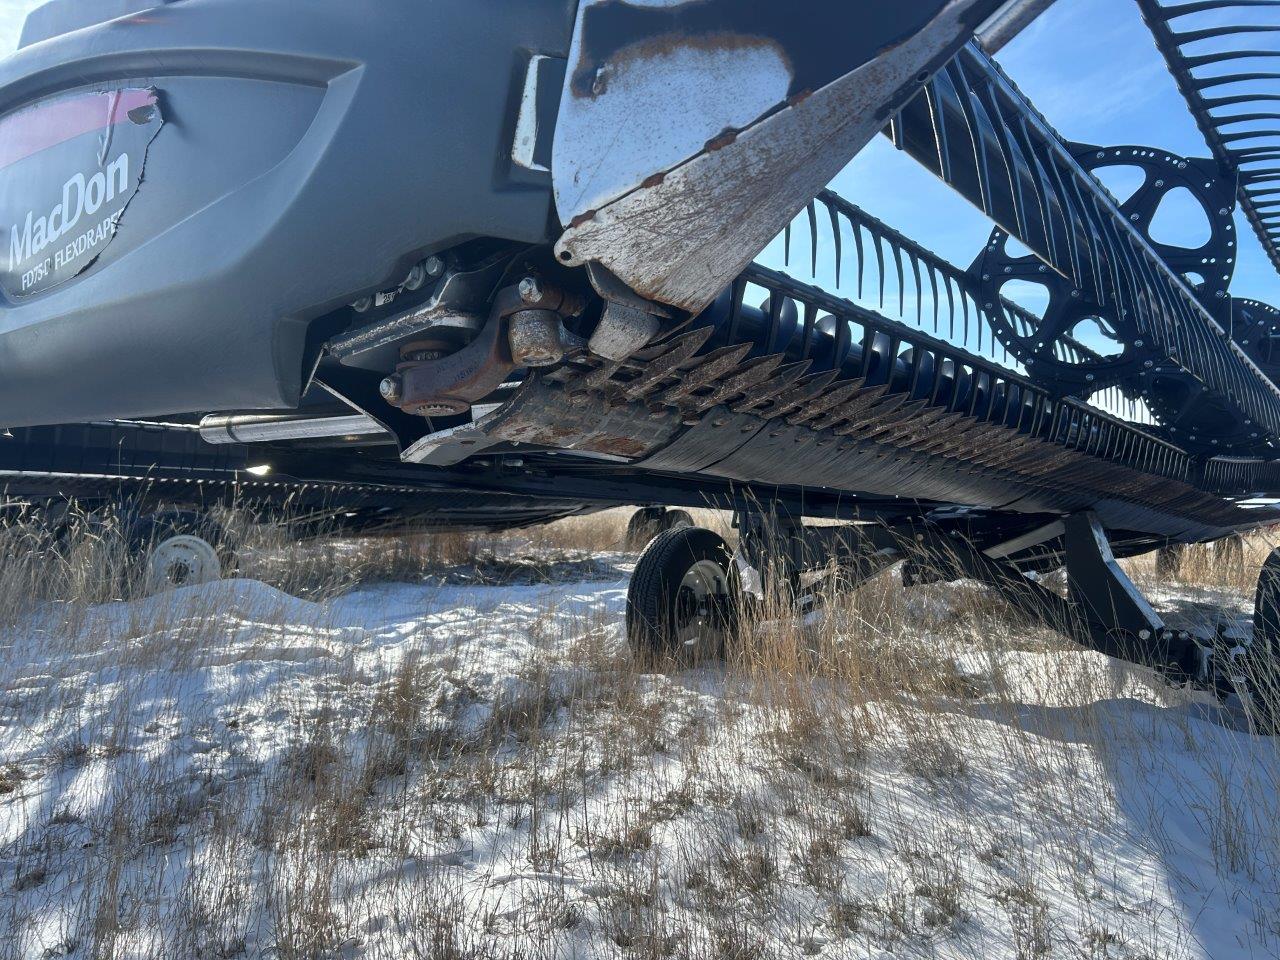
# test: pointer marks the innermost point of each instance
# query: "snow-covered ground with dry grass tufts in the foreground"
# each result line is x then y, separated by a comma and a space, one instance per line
444, 771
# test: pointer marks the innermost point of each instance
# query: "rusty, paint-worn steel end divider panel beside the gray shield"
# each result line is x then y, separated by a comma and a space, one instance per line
703, 104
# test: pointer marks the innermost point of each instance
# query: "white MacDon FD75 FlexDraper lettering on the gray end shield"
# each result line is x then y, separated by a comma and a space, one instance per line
83, 198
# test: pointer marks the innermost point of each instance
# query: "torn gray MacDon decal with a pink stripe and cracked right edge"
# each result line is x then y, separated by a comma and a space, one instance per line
68, 171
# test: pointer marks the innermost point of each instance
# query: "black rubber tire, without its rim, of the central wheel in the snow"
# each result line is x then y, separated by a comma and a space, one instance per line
657, 578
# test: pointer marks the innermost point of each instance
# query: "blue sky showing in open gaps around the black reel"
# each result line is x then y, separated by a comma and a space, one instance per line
1092, 70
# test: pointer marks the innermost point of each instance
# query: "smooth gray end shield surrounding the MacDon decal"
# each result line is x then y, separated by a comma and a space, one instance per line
310, 157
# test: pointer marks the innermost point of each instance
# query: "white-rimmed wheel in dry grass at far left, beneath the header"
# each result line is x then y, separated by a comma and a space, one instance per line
177, 548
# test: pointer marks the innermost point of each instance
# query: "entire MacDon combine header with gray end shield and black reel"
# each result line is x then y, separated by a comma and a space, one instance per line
531, 262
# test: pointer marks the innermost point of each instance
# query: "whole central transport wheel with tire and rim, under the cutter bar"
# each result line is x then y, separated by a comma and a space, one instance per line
682, 600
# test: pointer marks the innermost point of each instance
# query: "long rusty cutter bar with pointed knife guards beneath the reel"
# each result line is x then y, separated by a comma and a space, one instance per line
999, 442
